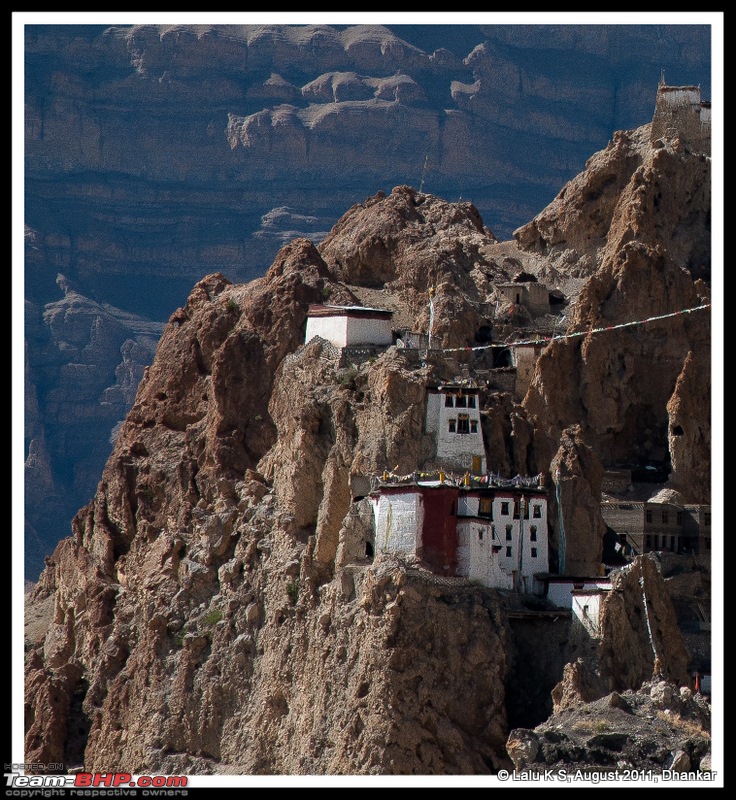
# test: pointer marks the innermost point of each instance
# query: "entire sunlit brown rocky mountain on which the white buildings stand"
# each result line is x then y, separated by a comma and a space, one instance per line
216, 608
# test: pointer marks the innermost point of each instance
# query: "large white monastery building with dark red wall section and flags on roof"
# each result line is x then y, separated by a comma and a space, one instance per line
496, 536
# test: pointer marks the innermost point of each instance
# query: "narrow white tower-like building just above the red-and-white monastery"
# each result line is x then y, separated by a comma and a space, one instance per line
453, 418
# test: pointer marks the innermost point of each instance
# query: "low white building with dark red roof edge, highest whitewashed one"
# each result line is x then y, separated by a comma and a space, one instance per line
349, 326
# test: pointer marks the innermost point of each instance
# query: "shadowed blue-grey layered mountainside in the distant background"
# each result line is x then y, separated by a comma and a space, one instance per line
155, 154
